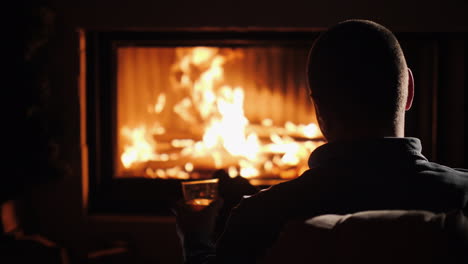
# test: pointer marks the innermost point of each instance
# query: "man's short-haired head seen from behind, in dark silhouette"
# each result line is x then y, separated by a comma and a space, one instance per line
359, 81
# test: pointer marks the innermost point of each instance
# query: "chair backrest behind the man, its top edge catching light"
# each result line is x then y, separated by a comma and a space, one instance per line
375, 237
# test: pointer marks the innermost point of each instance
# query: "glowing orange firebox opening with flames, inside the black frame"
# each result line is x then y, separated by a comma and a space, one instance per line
185, 111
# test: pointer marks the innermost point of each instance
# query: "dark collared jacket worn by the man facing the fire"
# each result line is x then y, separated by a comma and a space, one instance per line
344, 177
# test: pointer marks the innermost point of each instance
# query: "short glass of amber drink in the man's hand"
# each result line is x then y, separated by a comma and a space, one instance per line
199, 194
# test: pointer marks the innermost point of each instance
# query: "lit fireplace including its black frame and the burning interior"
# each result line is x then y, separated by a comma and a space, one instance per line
168, 106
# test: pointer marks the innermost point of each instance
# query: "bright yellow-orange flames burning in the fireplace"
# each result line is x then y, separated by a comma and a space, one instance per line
226, 139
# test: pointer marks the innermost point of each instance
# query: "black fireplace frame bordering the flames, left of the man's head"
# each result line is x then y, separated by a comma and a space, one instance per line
110, 195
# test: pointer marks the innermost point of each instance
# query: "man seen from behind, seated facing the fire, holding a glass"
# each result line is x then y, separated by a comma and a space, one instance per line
361, 88
